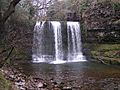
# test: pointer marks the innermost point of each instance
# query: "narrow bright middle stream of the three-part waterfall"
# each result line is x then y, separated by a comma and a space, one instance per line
58, 42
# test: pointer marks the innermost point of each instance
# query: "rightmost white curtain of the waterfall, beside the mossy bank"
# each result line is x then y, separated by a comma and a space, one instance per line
74, 50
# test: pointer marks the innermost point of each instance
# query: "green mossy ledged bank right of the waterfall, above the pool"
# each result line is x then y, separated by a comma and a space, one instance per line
104, 53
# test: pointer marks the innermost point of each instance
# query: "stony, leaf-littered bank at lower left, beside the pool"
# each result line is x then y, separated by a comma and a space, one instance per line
20, 81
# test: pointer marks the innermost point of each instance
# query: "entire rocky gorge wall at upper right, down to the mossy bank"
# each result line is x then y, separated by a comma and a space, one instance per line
101, 21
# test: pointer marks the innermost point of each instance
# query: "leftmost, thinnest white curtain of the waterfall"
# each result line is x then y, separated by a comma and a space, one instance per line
37, 57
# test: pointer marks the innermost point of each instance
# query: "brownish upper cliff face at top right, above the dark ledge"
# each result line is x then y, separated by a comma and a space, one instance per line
103, 15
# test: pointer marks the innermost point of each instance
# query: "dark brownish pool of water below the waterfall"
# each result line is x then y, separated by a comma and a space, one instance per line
79, 76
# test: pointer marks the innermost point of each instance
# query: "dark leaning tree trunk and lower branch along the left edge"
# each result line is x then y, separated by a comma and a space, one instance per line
3, 18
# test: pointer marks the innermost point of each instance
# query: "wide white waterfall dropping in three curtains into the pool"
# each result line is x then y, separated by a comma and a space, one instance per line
48, 42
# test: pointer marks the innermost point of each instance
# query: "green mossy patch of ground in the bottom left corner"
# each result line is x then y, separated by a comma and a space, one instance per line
4, 84
